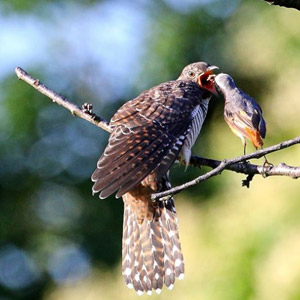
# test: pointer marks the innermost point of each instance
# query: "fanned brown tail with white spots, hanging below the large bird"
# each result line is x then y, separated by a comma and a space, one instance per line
151, 251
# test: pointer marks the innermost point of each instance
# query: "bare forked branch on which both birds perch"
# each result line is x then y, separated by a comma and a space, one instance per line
237, 164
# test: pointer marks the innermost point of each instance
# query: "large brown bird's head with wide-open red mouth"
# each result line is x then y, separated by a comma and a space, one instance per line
201, 73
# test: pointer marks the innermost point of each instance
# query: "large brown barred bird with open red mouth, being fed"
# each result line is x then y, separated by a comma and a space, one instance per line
148, 134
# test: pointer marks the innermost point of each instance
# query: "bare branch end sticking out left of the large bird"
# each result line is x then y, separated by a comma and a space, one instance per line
60, 100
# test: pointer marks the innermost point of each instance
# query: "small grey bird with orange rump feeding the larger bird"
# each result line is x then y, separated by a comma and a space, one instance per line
241, 112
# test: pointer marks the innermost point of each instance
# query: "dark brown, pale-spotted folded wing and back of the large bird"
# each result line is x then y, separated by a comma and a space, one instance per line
146, 131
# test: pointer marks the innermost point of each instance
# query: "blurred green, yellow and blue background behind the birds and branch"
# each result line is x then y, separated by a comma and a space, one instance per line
59, 242
